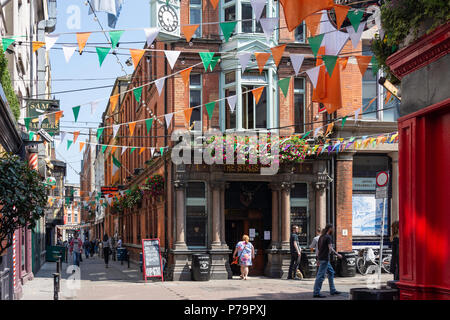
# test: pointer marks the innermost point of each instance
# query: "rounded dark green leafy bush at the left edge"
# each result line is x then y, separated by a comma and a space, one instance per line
23, 197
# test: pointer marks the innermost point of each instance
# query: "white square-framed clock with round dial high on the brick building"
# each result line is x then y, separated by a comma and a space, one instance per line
165, 15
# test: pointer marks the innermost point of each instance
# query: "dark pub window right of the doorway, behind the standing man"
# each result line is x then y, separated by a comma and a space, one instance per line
299, 211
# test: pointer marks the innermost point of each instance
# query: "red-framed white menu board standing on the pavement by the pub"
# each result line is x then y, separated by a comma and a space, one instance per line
151, 256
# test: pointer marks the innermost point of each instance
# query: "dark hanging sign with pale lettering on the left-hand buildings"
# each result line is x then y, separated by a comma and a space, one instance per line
39, 107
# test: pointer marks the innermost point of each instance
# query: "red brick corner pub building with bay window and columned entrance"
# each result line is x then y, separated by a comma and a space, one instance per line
207, 208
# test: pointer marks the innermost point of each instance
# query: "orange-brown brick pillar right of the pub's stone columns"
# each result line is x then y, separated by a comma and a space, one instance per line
344, 191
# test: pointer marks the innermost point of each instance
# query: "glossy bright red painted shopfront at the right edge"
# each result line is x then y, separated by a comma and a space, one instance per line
424, 166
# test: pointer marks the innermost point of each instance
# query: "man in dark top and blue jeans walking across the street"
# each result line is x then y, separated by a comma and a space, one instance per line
325, 248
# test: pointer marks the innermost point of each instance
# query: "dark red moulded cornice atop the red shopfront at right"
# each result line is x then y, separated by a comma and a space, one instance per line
422, 52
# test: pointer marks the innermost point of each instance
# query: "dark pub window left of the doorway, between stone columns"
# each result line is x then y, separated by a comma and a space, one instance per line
196, 215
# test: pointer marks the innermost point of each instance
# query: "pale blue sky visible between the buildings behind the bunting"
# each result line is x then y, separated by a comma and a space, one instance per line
134, 14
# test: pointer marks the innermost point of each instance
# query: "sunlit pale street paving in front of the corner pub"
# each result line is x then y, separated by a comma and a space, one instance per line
118, 282
